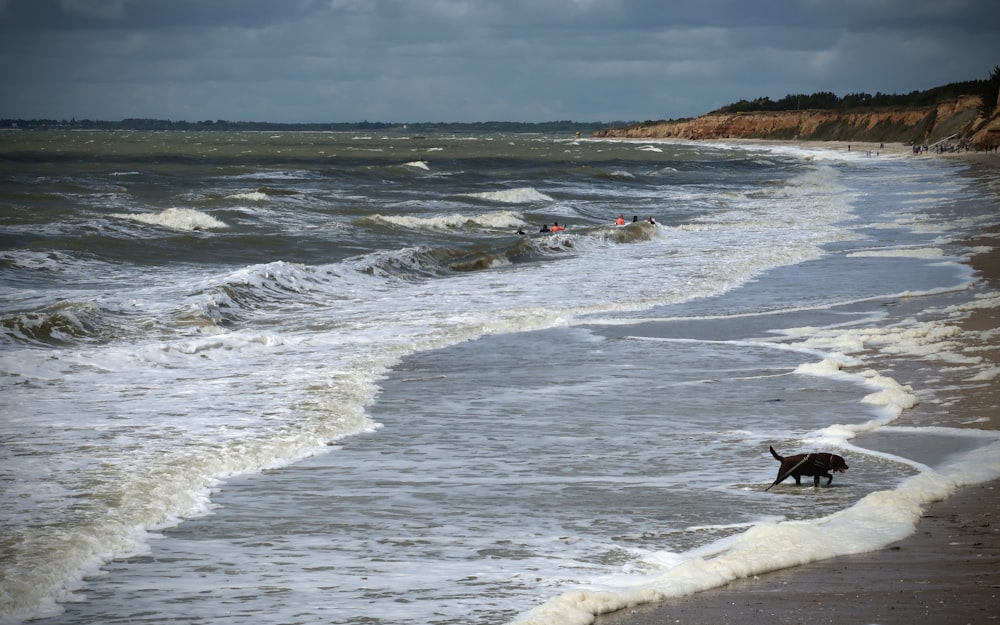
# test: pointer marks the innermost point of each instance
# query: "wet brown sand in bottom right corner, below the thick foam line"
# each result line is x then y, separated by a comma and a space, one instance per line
945, 573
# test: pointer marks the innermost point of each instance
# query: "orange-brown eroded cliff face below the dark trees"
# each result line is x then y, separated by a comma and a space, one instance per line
908, 125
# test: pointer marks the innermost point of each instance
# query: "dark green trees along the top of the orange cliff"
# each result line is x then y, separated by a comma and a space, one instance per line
854, 101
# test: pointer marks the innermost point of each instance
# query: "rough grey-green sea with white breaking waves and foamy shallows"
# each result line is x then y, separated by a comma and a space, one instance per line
321, 377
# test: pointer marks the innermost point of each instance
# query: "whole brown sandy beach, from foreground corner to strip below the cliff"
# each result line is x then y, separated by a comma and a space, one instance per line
946, 573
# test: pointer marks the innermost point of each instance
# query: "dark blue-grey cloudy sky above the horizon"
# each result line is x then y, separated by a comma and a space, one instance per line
472, 60
